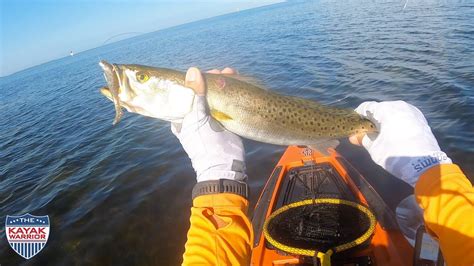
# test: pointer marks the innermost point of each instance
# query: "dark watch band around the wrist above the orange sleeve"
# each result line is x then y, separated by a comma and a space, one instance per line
220, 186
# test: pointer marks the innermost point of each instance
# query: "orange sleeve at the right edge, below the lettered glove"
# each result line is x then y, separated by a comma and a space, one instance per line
447, 198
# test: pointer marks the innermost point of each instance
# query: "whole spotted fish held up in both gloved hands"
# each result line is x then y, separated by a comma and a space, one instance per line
243, 108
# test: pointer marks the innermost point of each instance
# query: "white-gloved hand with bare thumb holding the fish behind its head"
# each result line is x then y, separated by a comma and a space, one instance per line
215, 153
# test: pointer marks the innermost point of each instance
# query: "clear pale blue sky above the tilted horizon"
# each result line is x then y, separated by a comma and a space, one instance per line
37, 31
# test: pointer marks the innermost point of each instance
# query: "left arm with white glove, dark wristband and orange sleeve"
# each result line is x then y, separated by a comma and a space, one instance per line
220, 232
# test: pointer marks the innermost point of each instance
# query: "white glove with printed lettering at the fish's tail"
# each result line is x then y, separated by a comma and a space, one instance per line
405, 145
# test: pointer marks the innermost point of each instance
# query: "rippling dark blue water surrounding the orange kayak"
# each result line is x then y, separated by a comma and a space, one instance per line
121, 195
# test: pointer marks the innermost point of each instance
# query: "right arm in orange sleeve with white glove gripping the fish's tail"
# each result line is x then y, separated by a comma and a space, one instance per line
406, 147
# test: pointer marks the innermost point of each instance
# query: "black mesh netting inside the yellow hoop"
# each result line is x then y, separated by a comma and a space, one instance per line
319, 226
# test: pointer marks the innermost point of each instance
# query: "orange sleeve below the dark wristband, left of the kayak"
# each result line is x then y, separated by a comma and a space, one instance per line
220, 232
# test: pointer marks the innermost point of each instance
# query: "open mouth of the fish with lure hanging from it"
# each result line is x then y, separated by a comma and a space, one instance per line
112, 77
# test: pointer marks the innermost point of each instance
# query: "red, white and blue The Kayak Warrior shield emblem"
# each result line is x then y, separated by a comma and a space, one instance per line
27, 234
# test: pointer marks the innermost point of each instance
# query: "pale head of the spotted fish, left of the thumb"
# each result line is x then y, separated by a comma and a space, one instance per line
153, 92
